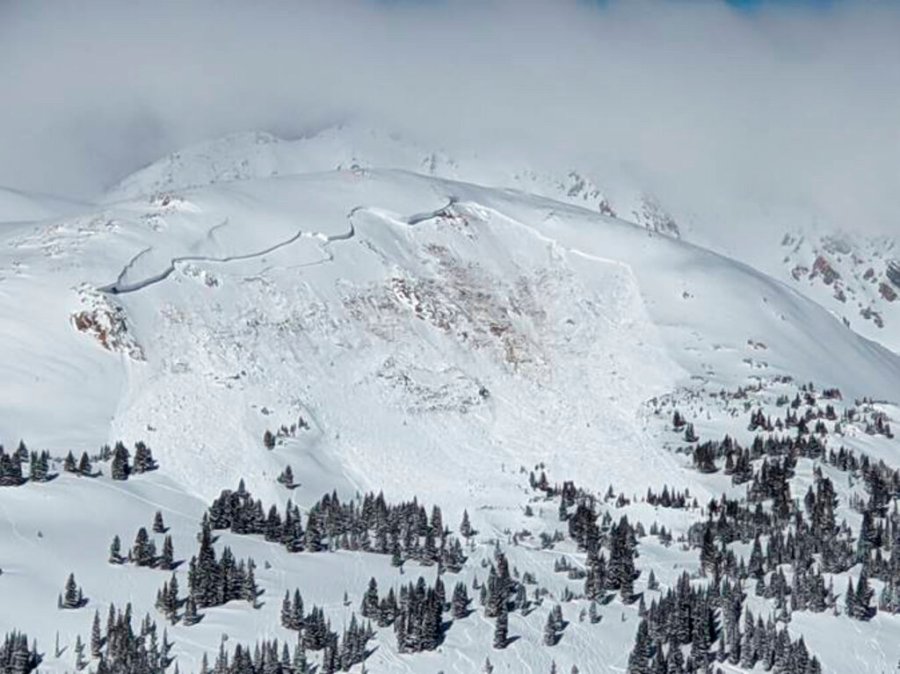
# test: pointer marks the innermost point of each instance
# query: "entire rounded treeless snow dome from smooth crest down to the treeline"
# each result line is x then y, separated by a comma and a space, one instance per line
391, 312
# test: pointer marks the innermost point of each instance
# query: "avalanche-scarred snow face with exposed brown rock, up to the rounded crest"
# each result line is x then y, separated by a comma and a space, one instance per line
386, 319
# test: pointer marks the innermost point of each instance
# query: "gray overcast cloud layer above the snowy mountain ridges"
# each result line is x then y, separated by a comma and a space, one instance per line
696, 98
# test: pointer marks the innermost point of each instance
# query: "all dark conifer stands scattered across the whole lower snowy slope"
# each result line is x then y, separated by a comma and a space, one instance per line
795, 543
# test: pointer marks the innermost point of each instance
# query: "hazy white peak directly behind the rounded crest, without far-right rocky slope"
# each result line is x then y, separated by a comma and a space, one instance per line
261, 155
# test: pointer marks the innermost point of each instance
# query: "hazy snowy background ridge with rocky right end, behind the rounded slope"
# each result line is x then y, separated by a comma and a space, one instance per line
847, 274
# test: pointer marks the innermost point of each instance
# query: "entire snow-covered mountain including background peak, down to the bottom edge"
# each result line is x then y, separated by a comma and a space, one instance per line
385, 319
